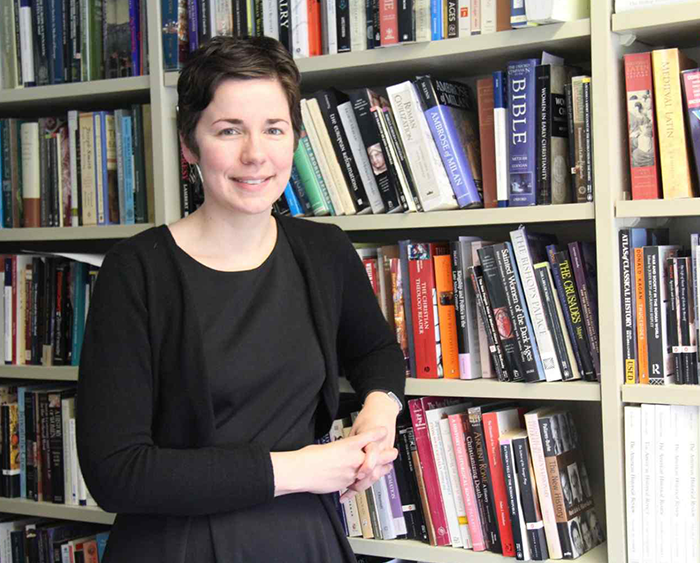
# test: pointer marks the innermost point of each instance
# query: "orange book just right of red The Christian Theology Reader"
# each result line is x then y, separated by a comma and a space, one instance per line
447, 315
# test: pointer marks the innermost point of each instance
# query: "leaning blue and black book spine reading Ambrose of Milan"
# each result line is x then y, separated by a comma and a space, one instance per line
443, 130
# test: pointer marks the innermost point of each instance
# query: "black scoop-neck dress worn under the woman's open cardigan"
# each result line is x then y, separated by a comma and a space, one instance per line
267, 372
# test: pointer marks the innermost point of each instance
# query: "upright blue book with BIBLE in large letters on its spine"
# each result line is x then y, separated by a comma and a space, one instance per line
522, 121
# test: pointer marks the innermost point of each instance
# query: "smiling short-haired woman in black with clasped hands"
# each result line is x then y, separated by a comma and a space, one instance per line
214, 345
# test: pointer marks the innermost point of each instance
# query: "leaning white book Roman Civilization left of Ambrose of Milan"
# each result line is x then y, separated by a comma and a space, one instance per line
432, 184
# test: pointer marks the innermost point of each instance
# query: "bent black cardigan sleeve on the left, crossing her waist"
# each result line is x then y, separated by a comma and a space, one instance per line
118, 391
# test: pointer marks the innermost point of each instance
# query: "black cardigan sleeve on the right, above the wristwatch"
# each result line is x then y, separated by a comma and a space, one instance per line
369, 353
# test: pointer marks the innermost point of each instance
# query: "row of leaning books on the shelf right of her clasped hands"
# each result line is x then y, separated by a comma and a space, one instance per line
492, 477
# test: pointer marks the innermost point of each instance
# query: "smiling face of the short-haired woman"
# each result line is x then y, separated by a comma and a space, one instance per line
246, 146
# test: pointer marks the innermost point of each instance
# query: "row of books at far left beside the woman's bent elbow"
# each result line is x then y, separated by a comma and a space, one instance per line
39, 452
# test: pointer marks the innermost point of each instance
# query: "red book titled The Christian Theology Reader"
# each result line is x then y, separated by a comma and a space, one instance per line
426, 330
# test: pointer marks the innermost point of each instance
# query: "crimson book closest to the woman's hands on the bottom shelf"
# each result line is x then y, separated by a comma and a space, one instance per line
417, 408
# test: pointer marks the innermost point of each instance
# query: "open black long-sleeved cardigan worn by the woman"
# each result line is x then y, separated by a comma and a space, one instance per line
144, 415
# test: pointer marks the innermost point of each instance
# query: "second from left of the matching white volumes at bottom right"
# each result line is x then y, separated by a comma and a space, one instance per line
649, 519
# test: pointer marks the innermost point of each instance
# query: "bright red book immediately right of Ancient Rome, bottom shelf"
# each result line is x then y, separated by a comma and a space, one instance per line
496, 423
